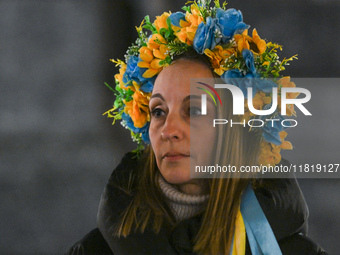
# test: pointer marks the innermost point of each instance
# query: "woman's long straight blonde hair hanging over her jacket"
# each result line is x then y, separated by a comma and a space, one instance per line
148, 208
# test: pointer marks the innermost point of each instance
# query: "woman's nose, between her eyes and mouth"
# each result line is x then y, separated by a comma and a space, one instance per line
174, 128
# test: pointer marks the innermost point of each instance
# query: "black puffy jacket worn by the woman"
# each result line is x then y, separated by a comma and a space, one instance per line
280, 199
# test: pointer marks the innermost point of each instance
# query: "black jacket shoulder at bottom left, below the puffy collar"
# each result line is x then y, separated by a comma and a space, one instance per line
91, 244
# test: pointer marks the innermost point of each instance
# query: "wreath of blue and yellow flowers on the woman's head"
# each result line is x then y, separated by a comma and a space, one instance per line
220, 34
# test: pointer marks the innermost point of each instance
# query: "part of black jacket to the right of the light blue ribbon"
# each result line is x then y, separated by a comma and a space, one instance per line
283, 203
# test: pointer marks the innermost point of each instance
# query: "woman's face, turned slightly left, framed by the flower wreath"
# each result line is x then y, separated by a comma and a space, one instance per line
172, 107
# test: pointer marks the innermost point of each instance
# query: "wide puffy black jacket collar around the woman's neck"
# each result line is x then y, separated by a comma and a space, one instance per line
281, 201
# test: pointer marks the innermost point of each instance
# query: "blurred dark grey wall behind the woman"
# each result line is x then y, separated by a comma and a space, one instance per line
57, 151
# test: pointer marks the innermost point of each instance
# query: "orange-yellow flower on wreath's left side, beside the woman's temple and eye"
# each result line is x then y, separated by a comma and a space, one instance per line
138, 107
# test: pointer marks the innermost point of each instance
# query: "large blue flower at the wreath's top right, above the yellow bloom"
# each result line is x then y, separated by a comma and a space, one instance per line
230, 22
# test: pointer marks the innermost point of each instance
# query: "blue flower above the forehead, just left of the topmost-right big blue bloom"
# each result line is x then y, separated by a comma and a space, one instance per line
205, 36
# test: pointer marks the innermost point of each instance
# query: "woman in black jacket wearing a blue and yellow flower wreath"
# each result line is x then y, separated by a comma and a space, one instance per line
152, 203
